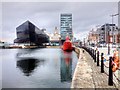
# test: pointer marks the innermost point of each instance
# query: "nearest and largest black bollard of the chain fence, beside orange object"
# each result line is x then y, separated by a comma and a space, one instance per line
110, 78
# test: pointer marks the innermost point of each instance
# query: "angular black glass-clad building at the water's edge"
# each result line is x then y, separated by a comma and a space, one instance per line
29, 33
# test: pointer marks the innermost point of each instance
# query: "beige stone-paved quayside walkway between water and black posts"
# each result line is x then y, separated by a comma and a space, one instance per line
88, 75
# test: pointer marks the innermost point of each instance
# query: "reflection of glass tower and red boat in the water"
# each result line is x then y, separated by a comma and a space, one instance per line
66, 67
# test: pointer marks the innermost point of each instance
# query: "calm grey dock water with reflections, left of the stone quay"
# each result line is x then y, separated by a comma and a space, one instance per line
37, 68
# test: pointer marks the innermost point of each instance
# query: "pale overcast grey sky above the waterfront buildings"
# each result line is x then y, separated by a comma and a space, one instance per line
85, 16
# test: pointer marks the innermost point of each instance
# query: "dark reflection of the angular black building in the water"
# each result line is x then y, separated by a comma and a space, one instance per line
27, 63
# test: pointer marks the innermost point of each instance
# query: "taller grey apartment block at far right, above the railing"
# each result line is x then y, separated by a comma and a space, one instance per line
108, 34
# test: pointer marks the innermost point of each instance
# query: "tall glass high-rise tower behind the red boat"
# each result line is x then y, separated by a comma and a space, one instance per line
66, 26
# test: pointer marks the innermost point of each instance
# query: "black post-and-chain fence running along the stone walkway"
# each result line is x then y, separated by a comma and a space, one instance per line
99, 58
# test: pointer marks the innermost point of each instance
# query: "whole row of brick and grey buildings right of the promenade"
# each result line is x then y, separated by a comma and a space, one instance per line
107, 33
